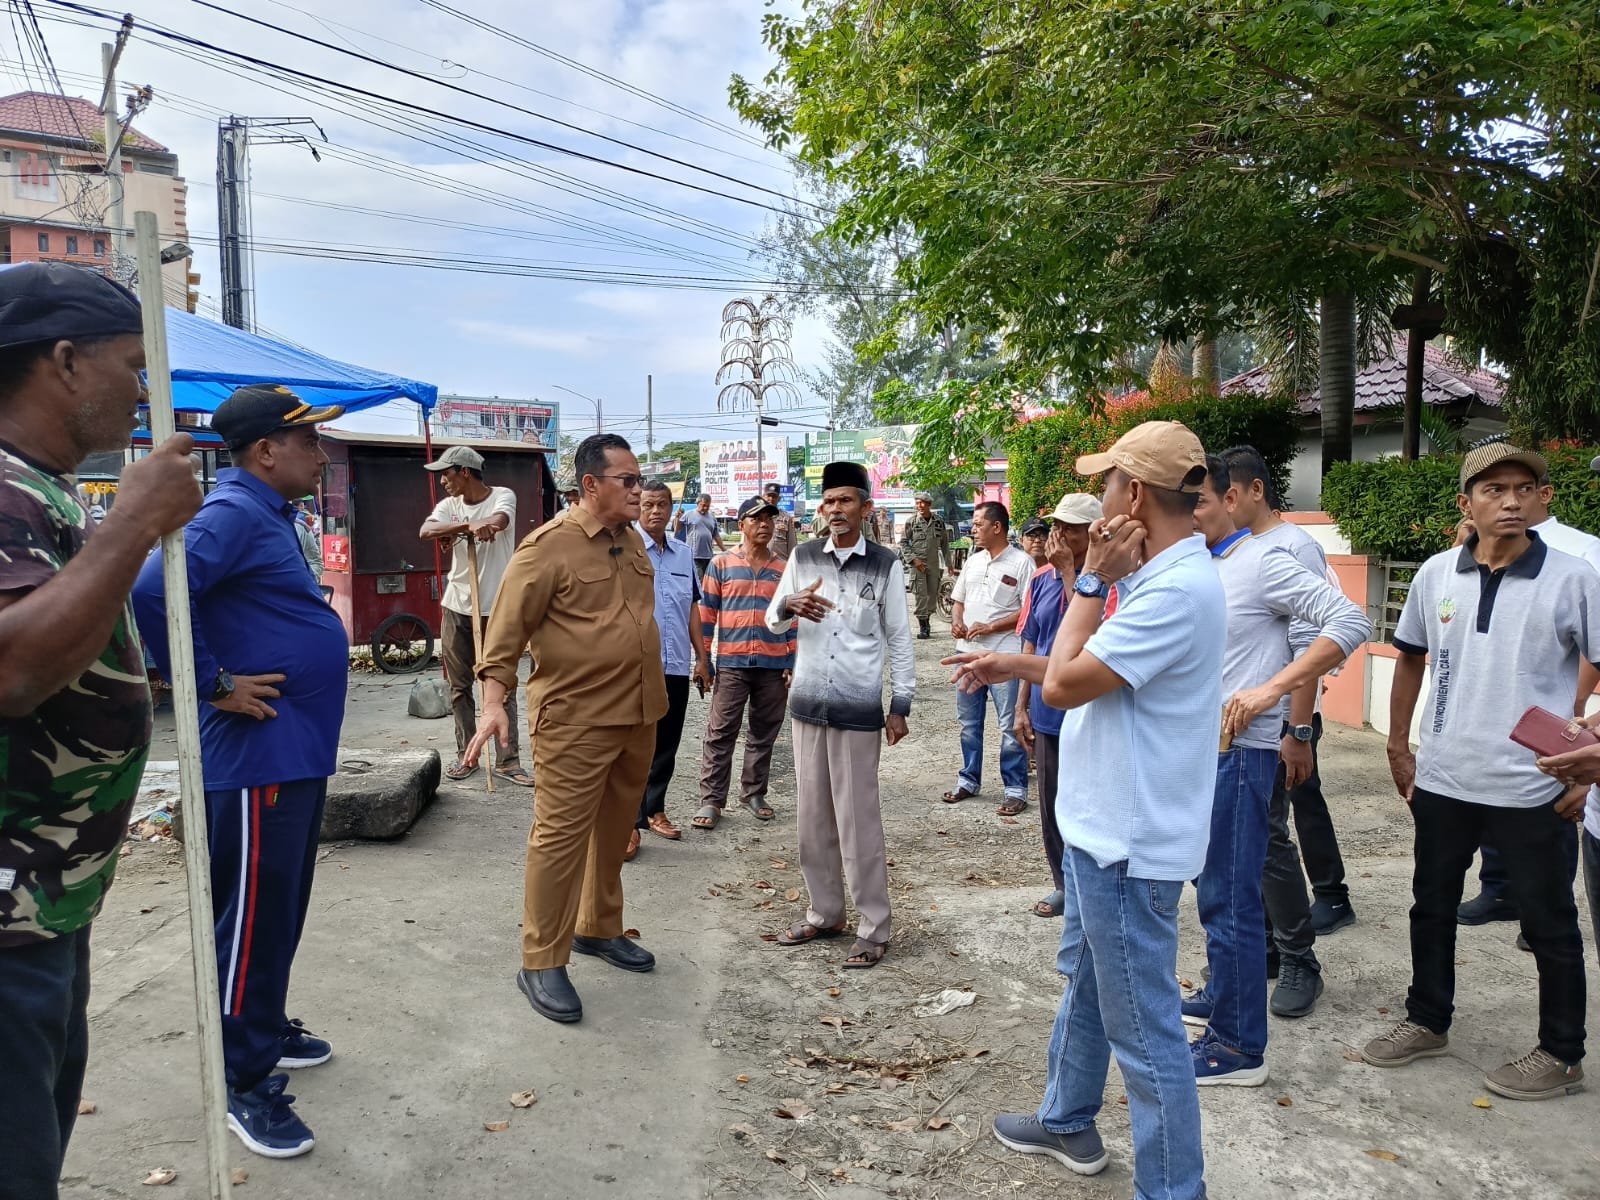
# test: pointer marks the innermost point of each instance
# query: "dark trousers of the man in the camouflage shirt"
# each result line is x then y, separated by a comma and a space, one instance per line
44, 1050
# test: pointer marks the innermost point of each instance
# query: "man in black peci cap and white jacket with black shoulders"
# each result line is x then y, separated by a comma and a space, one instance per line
849, 598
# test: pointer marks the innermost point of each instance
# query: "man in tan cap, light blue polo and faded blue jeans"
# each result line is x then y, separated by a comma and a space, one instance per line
1143, 698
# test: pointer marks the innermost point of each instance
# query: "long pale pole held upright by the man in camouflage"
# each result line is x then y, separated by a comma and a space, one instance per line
186, 702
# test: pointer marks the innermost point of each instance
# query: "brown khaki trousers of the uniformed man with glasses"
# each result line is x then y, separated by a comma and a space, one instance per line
588, 782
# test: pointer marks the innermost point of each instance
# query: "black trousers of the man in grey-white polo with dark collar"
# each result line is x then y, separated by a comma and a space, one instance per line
1532, 841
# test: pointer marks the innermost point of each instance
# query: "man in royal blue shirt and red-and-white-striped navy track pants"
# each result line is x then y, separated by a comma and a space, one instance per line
273, 665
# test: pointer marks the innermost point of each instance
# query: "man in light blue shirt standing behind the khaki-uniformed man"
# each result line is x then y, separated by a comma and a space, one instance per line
678, 615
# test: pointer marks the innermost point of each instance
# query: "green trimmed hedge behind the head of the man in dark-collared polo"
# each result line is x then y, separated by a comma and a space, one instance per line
1407, 511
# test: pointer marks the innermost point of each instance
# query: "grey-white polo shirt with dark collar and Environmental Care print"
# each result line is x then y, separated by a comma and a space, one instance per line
1498, 644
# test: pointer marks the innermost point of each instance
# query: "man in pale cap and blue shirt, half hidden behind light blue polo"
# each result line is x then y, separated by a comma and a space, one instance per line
1038, 724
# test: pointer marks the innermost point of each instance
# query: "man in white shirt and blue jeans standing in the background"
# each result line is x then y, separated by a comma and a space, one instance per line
988, 599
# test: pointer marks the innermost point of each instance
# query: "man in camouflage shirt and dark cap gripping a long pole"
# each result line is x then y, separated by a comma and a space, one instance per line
74, 703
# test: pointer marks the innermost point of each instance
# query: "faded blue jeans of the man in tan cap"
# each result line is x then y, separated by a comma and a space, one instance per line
1119, 954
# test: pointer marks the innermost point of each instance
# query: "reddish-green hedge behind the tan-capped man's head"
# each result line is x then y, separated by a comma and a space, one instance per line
1044, 452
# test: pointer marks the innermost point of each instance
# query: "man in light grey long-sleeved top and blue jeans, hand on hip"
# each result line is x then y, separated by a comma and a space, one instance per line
1266, 590
